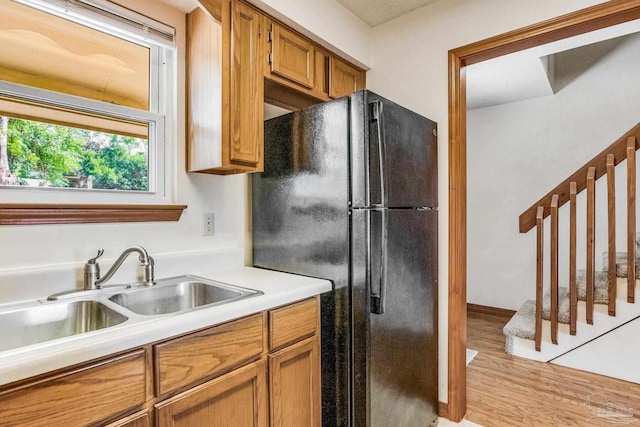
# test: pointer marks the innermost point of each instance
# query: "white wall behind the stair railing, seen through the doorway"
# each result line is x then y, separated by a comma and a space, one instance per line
519, 151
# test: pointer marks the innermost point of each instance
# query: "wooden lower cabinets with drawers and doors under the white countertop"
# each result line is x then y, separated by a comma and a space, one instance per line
258, 371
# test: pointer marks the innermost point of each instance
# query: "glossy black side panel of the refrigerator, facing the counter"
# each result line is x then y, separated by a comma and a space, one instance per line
301, 225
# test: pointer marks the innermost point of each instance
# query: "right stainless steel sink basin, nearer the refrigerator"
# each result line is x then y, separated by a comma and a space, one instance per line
189, 293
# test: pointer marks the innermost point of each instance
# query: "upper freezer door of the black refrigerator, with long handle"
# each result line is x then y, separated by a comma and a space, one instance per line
394, 154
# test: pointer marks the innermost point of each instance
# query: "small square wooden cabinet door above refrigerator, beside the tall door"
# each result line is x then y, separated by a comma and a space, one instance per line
292, 56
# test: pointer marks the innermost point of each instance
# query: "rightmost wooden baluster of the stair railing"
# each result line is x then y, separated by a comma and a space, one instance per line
631, 218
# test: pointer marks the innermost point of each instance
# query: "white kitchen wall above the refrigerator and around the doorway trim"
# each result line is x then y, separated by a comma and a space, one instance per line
409, 65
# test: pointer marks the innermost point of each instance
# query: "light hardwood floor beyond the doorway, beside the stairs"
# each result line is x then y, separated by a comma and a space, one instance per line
509, 391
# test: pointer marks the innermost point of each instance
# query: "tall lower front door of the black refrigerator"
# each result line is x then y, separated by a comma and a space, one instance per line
395, 356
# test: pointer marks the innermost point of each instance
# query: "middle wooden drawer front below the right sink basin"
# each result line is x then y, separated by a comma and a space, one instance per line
197, 356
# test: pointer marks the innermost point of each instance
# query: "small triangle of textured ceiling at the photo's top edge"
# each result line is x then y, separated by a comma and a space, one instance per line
375, 12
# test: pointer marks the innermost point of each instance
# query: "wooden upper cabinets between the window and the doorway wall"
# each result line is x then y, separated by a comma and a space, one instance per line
233, 67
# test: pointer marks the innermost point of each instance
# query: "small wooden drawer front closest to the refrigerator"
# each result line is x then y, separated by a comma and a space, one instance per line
293, 323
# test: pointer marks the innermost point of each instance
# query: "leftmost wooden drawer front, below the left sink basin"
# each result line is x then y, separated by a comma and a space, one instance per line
79, 397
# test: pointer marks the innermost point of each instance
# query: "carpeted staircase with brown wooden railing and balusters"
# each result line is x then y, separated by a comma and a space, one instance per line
593, 303
